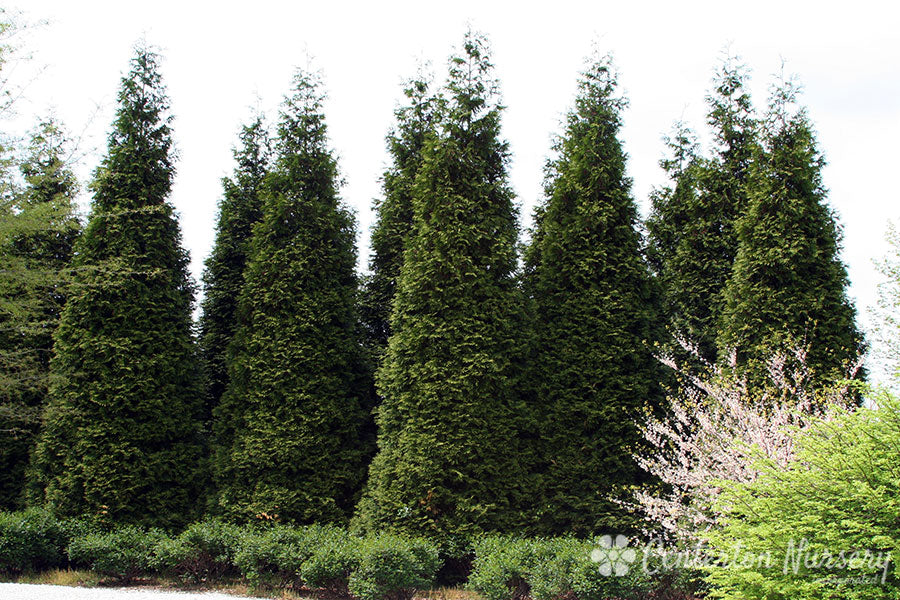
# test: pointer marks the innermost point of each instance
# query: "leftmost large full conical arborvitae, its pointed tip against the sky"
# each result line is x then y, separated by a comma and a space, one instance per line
120, 435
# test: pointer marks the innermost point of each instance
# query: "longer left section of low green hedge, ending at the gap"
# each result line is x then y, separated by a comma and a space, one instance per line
317, 557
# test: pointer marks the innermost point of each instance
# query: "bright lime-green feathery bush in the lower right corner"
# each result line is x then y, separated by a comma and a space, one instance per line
840, 496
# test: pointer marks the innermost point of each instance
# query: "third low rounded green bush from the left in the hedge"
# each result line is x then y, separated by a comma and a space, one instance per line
205, 550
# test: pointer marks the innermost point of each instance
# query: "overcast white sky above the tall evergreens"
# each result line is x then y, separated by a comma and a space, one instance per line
223, 58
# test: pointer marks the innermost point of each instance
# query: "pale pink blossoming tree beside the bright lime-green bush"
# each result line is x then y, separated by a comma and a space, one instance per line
717, 429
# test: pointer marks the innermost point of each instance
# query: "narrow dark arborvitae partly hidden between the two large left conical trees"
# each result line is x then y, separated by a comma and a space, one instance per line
239, 209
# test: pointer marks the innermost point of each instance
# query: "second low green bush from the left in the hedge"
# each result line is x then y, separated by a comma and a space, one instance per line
122, 554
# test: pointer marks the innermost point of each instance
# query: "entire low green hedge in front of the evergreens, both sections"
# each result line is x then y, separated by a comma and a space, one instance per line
326, 558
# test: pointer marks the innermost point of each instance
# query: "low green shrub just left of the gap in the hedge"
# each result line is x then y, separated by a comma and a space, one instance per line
393, 568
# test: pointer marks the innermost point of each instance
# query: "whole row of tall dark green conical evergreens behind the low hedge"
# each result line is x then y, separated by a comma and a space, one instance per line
448, 392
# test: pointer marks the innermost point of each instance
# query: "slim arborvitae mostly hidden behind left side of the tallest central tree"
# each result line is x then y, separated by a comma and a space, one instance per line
393, 213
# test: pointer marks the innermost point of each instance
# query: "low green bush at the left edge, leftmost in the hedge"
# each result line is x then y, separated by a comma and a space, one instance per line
34, 539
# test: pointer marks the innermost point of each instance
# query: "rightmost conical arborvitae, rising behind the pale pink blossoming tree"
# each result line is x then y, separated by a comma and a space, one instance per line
788, 286
